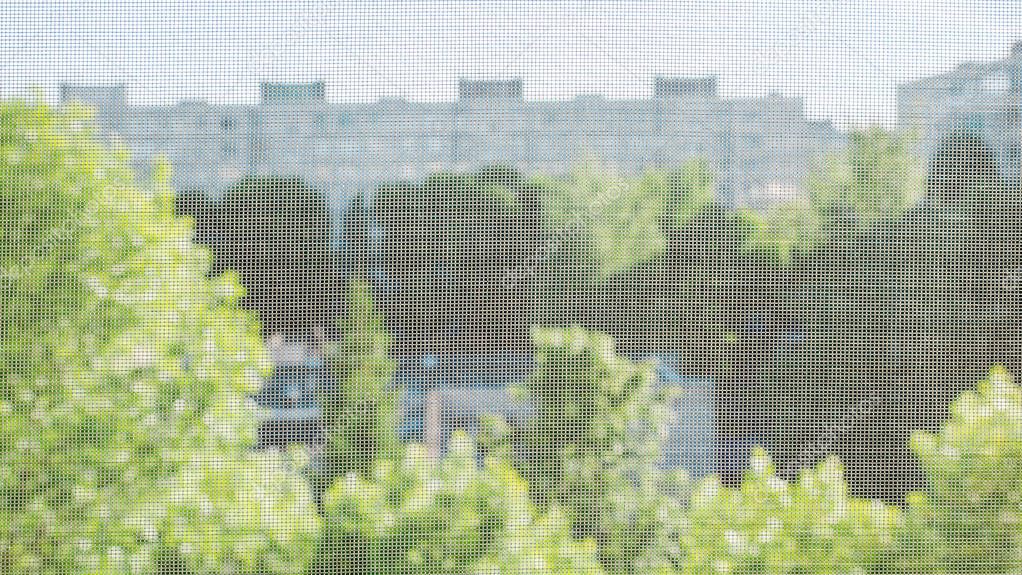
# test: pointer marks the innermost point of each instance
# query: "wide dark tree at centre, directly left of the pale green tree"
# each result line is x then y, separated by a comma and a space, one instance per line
458, 255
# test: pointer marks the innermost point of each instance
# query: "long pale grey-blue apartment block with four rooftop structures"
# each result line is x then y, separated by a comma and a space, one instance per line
760, 149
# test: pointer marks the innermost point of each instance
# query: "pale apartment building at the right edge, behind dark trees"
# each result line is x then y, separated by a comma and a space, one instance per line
984, 99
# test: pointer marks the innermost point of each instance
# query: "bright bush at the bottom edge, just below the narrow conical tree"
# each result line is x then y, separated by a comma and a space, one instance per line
420, 516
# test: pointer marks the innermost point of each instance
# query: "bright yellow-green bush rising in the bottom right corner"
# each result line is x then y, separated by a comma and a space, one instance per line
969, 519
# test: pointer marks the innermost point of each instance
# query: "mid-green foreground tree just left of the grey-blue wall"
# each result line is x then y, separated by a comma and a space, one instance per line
592, 446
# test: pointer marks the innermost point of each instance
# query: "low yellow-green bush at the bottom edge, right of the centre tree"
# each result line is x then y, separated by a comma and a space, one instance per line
771, 526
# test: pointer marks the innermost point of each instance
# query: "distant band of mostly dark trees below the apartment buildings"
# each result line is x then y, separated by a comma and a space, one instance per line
837, 322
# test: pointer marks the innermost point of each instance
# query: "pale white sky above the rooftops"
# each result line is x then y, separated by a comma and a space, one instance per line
846, 59
